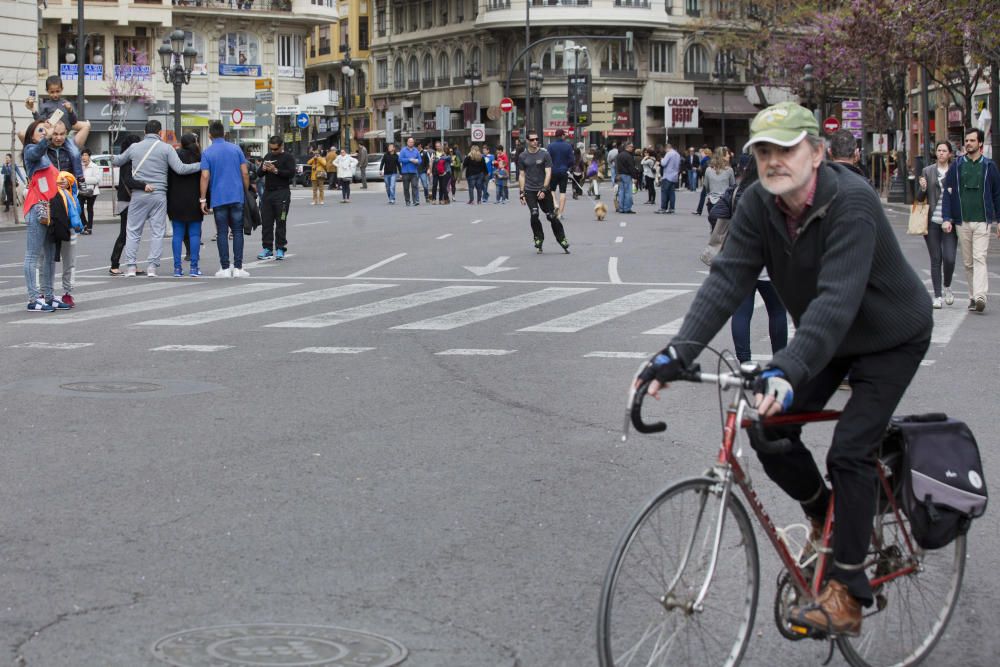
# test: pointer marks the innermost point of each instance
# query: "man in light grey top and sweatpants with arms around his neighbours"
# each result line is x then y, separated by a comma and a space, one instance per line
152, 159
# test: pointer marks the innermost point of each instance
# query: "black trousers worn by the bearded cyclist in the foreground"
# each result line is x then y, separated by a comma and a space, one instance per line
878, 381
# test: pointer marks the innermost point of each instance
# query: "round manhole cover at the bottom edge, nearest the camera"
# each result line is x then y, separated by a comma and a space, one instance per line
277, 645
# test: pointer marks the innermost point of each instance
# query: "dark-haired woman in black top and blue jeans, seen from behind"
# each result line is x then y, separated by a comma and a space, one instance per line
183, 207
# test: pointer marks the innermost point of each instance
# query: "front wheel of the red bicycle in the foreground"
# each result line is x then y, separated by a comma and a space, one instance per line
648, 615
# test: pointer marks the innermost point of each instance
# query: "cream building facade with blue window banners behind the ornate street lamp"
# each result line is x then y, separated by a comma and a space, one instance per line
237, 41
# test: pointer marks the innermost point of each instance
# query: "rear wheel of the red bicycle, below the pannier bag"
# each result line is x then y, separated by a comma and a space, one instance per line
912, 610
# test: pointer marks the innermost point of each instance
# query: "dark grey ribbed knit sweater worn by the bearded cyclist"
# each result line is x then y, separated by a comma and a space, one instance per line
844, 279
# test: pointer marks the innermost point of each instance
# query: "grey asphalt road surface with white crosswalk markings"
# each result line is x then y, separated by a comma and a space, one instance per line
372, 435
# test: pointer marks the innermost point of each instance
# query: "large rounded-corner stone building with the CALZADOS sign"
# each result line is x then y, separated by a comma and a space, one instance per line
431, 53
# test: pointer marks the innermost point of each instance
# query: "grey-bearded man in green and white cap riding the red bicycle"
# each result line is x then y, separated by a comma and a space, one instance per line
859, 310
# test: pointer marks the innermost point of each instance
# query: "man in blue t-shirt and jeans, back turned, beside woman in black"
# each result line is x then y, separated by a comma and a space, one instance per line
224, 170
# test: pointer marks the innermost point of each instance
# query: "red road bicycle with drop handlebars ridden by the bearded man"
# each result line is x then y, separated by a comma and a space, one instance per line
681, 582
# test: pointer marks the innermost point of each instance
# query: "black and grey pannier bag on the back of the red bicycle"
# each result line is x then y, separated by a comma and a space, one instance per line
940, 482
